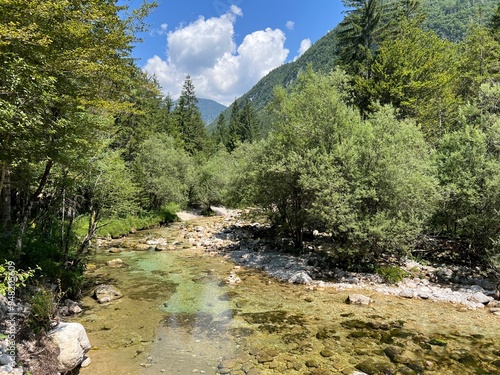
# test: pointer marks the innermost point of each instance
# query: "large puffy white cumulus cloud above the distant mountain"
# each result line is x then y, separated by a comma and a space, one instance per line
221, 70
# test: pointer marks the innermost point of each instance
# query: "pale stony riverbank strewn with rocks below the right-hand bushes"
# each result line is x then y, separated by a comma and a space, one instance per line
236, 238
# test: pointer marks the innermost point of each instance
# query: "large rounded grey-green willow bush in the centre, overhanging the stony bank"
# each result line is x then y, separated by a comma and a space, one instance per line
368, 182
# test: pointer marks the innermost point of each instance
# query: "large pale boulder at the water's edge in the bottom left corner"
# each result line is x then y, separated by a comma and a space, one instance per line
72, 342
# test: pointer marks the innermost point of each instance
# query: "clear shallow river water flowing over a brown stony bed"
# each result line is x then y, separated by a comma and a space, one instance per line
178, 316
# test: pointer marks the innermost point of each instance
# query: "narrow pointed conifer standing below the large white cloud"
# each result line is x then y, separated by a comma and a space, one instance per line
187, 118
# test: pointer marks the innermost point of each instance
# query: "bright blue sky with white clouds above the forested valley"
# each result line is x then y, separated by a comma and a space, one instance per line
227, 46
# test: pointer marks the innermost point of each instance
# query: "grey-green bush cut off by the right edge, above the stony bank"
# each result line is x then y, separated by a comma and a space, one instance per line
469, 173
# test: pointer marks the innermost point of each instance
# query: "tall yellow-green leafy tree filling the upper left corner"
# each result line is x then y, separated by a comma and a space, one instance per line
65, 65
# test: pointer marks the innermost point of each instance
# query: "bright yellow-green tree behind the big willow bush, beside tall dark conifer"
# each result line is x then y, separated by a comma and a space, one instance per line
416, 73
